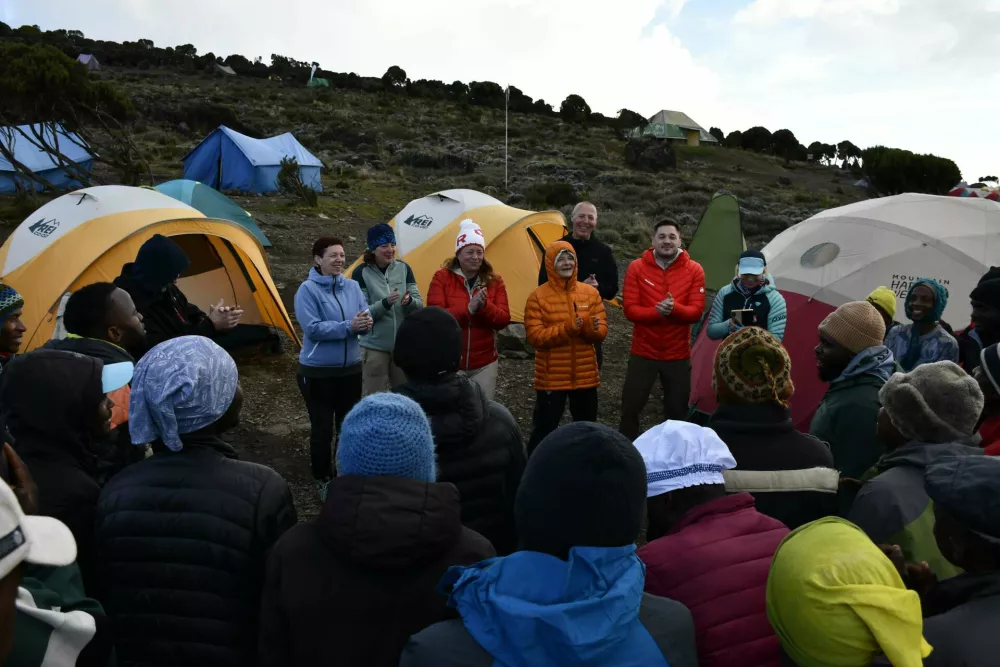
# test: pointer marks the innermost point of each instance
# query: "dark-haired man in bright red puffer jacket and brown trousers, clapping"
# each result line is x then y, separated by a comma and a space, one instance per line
664, 295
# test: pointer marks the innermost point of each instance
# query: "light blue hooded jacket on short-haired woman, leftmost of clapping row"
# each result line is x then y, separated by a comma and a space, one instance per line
324, 307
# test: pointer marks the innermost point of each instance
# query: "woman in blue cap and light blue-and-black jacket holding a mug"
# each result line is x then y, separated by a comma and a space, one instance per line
751, 289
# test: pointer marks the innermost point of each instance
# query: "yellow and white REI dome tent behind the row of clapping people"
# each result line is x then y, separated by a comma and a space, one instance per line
515, 239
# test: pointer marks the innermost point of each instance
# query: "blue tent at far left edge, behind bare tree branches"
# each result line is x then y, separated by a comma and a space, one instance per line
38, 160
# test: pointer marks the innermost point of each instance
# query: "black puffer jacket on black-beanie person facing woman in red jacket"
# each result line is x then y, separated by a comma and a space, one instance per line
480, 450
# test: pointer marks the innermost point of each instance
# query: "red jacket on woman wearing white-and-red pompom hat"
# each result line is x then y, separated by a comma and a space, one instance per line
449, 290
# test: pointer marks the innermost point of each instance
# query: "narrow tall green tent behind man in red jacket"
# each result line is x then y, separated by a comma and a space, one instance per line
718, 241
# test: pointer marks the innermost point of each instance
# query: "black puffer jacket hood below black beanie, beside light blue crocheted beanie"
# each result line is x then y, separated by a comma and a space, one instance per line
456, 407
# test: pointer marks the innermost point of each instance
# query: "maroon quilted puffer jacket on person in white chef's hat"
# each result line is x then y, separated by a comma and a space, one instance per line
715, 562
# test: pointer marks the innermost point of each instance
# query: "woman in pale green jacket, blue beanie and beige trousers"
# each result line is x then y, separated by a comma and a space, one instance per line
392, 293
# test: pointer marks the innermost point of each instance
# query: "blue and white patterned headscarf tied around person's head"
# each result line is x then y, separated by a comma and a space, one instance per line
180, 386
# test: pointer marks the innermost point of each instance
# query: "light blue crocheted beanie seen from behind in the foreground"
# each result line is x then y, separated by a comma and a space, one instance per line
387, 434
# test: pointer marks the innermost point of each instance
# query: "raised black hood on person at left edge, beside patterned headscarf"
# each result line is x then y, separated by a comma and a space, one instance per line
50, 400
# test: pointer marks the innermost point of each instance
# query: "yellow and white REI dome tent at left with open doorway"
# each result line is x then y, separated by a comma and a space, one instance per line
87, 236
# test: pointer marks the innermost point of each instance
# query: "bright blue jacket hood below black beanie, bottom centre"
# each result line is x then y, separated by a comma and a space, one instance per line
533, 609
